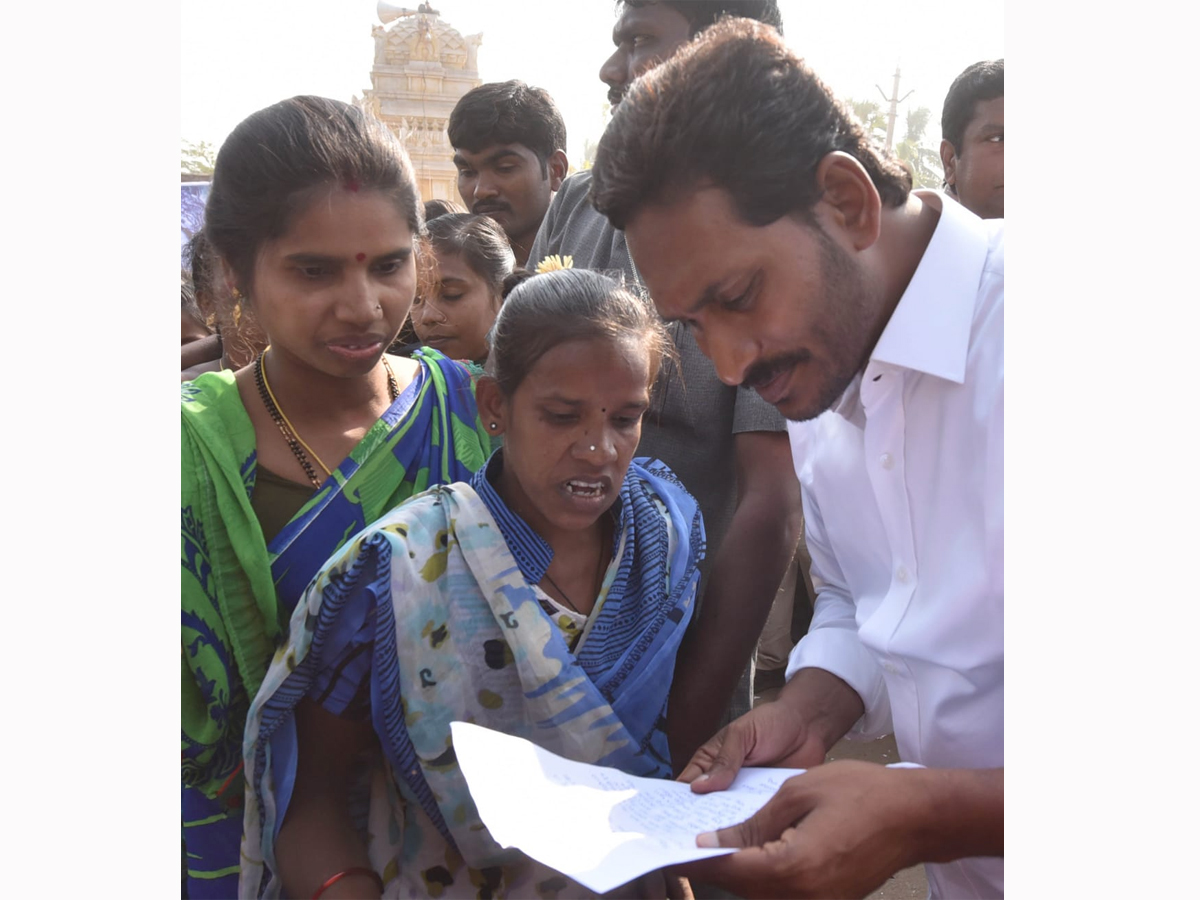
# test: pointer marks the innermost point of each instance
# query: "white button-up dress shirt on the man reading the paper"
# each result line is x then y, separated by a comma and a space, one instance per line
904, 506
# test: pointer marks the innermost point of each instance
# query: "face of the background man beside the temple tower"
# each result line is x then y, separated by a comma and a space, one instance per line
506, 183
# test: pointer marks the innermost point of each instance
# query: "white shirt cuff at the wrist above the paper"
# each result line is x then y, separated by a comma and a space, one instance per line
842, 653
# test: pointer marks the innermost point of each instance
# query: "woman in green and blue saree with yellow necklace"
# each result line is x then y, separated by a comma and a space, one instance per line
315, 215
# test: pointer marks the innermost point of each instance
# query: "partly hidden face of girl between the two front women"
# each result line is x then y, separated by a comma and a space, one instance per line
460, 311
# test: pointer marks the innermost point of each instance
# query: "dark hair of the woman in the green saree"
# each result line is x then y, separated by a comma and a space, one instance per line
272, 165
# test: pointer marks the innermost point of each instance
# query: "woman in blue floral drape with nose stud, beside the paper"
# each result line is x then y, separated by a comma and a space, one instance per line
545, 598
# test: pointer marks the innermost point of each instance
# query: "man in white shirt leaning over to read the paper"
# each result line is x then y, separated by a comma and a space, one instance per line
873, 319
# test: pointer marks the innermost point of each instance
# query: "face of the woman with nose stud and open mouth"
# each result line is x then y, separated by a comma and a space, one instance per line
571, 430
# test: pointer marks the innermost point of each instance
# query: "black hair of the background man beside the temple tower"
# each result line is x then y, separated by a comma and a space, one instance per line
508, 113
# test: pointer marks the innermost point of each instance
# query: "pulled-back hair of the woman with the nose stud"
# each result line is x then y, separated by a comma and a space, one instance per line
543, 311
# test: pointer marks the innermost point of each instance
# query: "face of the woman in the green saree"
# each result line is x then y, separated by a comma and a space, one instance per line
333, 292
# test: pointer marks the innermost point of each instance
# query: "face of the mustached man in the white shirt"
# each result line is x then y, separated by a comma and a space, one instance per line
782, 309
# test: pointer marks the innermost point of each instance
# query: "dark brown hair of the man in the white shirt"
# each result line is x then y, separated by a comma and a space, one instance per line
735, 110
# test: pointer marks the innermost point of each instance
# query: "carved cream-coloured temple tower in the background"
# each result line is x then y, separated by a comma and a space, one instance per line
422, 68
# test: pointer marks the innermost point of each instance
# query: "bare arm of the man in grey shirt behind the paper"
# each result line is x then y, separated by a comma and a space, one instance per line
747, 572
